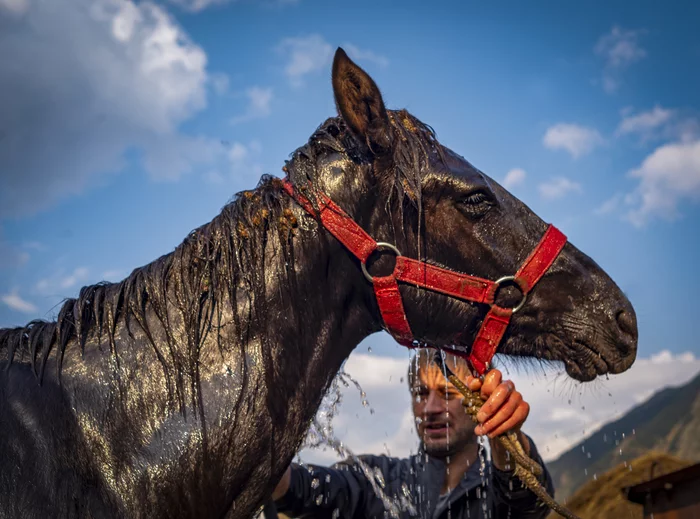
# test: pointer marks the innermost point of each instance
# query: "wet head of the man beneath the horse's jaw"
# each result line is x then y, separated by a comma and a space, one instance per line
443, 426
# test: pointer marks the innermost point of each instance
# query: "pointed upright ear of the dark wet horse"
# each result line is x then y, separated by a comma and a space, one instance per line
360, 104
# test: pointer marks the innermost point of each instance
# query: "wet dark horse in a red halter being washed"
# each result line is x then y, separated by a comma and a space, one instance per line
186, 389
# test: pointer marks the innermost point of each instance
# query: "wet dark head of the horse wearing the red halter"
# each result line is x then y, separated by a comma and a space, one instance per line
387, 170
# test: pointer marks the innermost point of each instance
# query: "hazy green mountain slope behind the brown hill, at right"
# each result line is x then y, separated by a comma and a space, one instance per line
668, 422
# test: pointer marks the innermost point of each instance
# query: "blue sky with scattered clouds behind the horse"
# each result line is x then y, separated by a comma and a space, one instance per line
124, 125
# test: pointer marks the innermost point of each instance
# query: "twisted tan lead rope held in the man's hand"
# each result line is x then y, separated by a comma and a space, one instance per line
526, 469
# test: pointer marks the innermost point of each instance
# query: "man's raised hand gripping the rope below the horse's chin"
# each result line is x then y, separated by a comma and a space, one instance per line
504, 410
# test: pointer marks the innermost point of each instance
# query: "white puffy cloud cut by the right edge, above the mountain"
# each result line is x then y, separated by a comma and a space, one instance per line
668, 176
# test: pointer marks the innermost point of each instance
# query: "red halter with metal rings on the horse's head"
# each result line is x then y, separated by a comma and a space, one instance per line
422, 274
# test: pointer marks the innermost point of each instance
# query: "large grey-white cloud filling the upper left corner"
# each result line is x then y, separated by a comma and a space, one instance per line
105, 76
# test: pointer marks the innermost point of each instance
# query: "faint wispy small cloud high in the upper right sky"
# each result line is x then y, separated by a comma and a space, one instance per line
620, 49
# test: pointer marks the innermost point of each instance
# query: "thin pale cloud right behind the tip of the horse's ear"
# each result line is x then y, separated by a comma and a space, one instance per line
308, 54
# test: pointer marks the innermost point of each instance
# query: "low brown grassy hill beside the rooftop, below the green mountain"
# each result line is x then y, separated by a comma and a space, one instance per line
603, 498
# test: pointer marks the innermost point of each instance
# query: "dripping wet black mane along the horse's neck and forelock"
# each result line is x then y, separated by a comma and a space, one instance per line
217, 264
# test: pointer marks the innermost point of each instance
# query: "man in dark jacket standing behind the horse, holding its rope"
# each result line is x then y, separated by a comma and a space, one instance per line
449, 477
